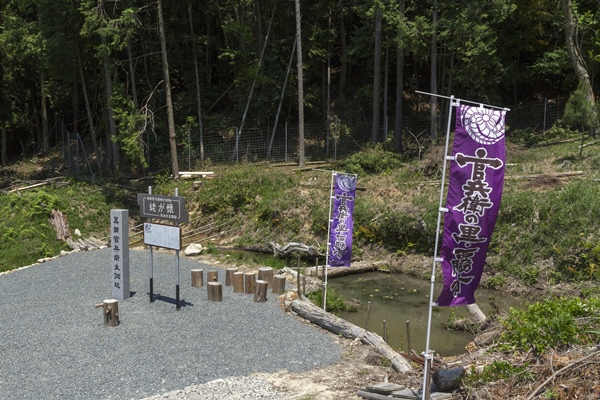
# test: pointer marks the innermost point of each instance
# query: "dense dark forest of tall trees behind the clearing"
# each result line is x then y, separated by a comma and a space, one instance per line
130, 77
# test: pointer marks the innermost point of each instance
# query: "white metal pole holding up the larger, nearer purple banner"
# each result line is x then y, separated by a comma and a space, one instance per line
428, 357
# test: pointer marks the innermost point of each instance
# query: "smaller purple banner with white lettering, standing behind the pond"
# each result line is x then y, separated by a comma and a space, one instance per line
340, 236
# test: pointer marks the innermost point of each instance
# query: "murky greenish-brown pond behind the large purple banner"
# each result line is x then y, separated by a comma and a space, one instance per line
397, 298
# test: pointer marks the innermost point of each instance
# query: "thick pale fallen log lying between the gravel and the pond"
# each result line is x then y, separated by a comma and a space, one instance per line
330, 322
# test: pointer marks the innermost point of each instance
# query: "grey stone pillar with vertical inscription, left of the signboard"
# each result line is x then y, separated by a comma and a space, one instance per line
119, 256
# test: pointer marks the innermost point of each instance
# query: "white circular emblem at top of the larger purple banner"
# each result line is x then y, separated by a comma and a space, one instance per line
485, 126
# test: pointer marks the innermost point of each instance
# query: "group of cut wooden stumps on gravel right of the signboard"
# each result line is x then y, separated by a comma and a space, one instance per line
256, 283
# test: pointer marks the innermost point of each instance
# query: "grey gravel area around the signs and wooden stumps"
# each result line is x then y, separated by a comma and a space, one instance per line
53, 344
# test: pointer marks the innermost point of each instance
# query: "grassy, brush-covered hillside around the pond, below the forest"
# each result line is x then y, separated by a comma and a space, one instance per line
546, 239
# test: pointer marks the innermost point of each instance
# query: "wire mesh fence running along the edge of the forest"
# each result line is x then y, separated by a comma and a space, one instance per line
321, 142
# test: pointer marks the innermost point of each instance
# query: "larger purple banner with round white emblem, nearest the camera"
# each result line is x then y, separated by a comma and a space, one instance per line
474, 194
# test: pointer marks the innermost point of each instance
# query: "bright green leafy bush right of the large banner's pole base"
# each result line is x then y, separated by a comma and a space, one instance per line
552, 324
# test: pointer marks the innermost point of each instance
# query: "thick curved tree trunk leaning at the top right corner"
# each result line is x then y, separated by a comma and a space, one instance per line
578, 62
